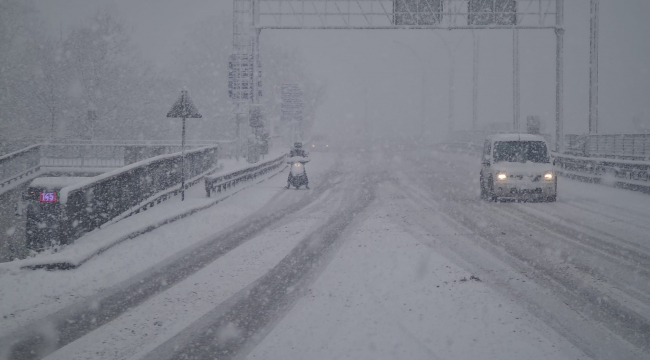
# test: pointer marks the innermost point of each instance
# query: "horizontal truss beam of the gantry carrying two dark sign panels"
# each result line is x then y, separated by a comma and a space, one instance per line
405, 14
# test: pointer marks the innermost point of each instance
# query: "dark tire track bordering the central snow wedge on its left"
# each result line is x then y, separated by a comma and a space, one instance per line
237, 325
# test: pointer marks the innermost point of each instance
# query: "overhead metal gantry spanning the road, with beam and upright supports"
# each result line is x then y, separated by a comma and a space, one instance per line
253, 16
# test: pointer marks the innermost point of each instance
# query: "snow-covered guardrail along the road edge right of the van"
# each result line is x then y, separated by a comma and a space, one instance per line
627, 174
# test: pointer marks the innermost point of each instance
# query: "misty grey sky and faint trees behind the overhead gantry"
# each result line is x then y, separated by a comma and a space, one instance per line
354, 81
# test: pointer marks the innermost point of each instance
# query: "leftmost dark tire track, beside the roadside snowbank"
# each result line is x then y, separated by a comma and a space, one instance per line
61, 328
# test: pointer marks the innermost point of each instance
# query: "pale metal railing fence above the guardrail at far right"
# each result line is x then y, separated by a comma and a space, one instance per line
621, 146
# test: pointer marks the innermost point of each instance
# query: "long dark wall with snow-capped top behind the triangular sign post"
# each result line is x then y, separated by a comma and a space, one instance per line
91, 203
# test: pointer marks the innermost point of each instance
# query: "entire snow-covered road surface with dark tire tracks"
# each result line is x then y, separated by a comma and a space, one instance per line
388, 256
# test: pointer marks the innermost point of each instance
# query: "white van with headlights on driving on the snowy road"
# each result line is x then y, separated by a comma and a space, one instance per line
517, 166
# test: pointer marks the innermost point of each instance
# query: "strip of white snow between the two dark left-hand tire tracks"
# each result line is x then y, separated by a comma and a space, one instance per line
137, 332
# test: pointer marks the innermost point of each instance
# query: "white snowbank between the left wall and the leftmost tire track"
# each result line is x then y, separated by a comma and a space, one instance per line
28, 295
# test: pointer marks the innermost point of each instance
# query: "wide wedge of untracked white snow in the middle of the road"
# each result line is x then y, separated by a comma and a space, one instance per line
387, 295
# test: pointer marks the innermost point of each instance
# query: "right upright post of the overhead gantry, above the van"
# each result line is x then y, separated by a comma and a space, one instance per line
559, 76
